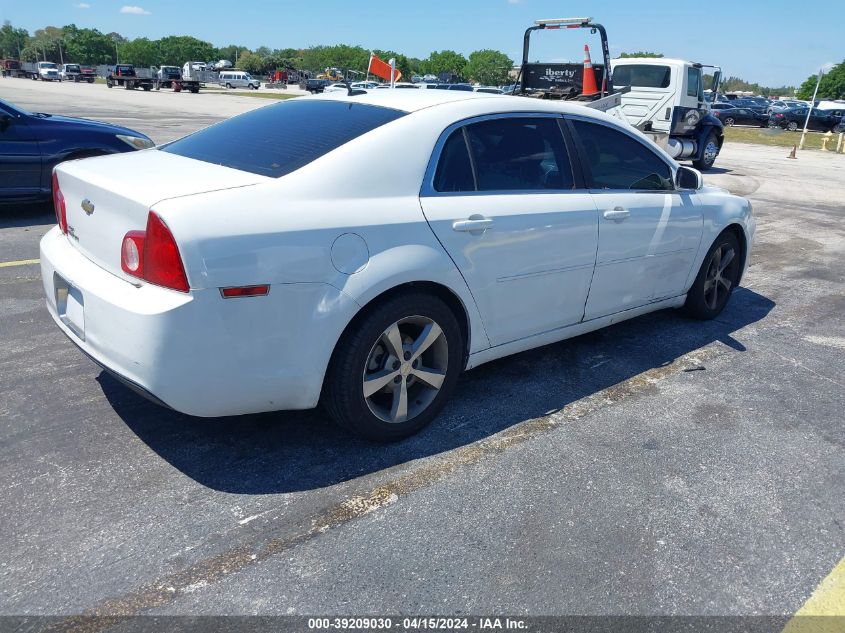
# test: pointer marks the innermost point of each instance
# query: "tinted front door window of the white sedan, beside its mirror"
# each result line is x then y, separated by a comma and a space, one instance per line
617, 161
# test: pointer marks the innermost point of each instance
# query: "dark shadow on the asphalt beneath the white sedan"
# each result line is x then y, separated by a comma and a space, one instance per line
297, 451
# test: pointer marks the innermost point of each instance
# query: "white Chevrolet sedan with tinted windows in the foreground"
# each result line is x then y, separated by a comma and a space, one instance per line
221, 275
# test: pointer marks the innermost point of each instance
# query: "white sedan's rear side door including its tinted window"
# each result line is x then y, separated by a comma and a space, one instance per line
501, 197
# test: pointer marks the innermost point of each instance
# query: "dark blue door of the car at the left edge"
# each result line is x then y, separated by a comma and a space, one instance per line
20, 156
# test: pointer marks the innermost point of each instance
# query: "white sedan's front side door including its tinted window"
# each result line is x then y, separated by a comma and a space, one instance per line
649, 232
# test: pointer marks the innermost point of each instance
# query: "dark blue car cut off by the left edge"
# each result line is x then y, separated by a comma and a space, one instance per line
32, 143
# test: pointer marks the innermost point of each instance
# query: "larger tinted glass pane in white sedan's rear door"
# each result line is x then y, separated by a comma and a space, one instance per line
519, 154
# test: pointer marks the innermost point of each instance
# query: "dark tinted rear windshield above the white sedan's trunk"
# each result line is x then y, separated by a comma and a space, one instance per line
281, 138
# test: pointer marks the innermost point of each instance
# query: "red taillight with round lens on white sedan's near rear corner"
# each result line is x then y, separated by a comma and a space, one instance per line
153, 255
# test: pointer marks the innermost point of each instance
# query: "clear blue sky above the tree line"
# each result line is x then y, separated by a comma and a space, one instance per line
763, 41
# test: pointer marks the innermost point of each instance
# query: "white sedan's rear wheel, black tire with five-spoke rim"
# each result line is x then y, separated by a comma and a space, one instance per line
395, 367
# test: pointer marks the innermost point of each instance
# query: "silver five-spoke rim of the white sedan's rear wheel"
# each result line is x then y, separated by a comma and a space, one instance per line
405, 369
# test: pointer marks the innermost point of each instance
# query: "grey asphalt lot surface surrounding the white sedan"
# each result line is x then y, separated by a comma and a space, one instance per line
659, 467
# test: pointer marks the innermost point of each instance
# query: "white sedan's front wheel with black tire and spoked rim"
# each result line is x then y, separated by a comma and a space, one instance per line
716, 279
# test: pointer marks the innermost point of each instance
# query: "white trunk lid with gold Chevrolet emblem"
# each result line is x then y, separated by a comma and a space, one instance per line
108, 196
